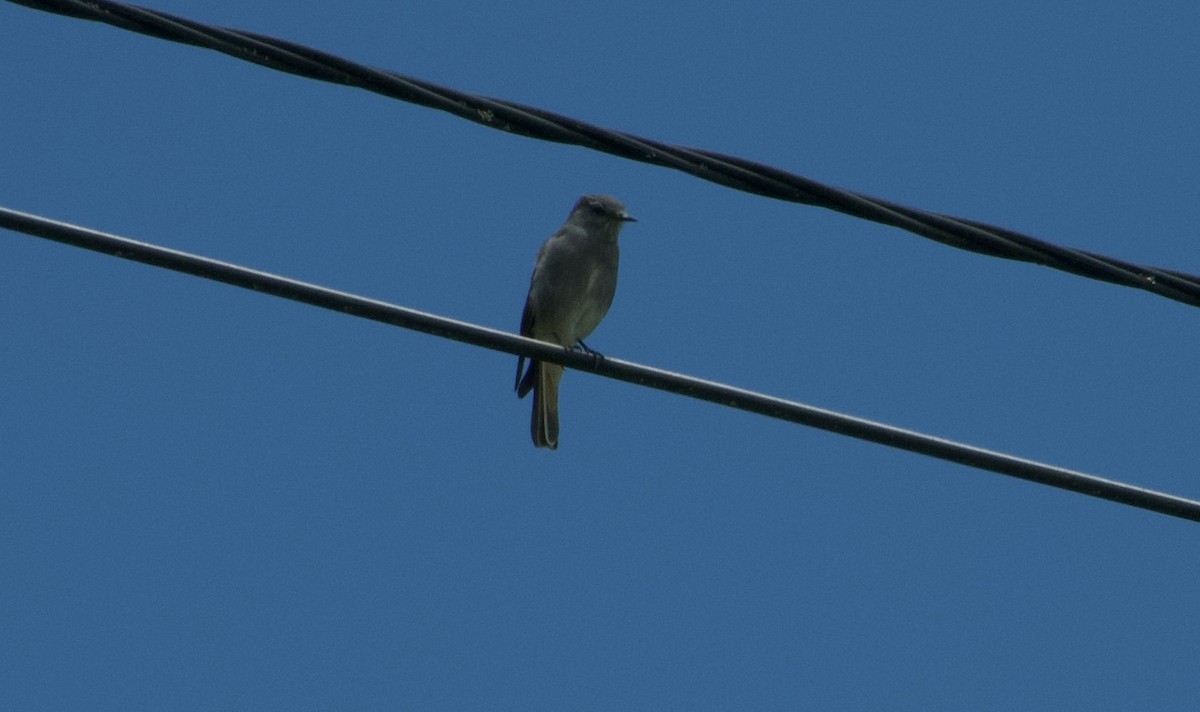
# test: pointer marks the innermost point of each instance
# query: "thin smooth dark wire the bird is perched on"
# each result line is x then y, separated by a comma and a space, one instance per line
610, 368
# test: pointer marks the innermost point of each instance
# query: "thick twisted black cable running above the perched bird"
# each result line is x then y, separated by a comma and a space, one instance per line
729, 171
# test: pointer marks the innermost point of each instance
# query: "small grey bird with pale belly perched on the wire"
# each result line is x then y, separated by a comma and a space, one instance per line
572, 289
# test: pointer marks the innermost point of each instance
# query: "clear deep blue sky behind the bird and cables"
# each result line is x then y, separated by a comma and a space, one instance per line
223, 500
